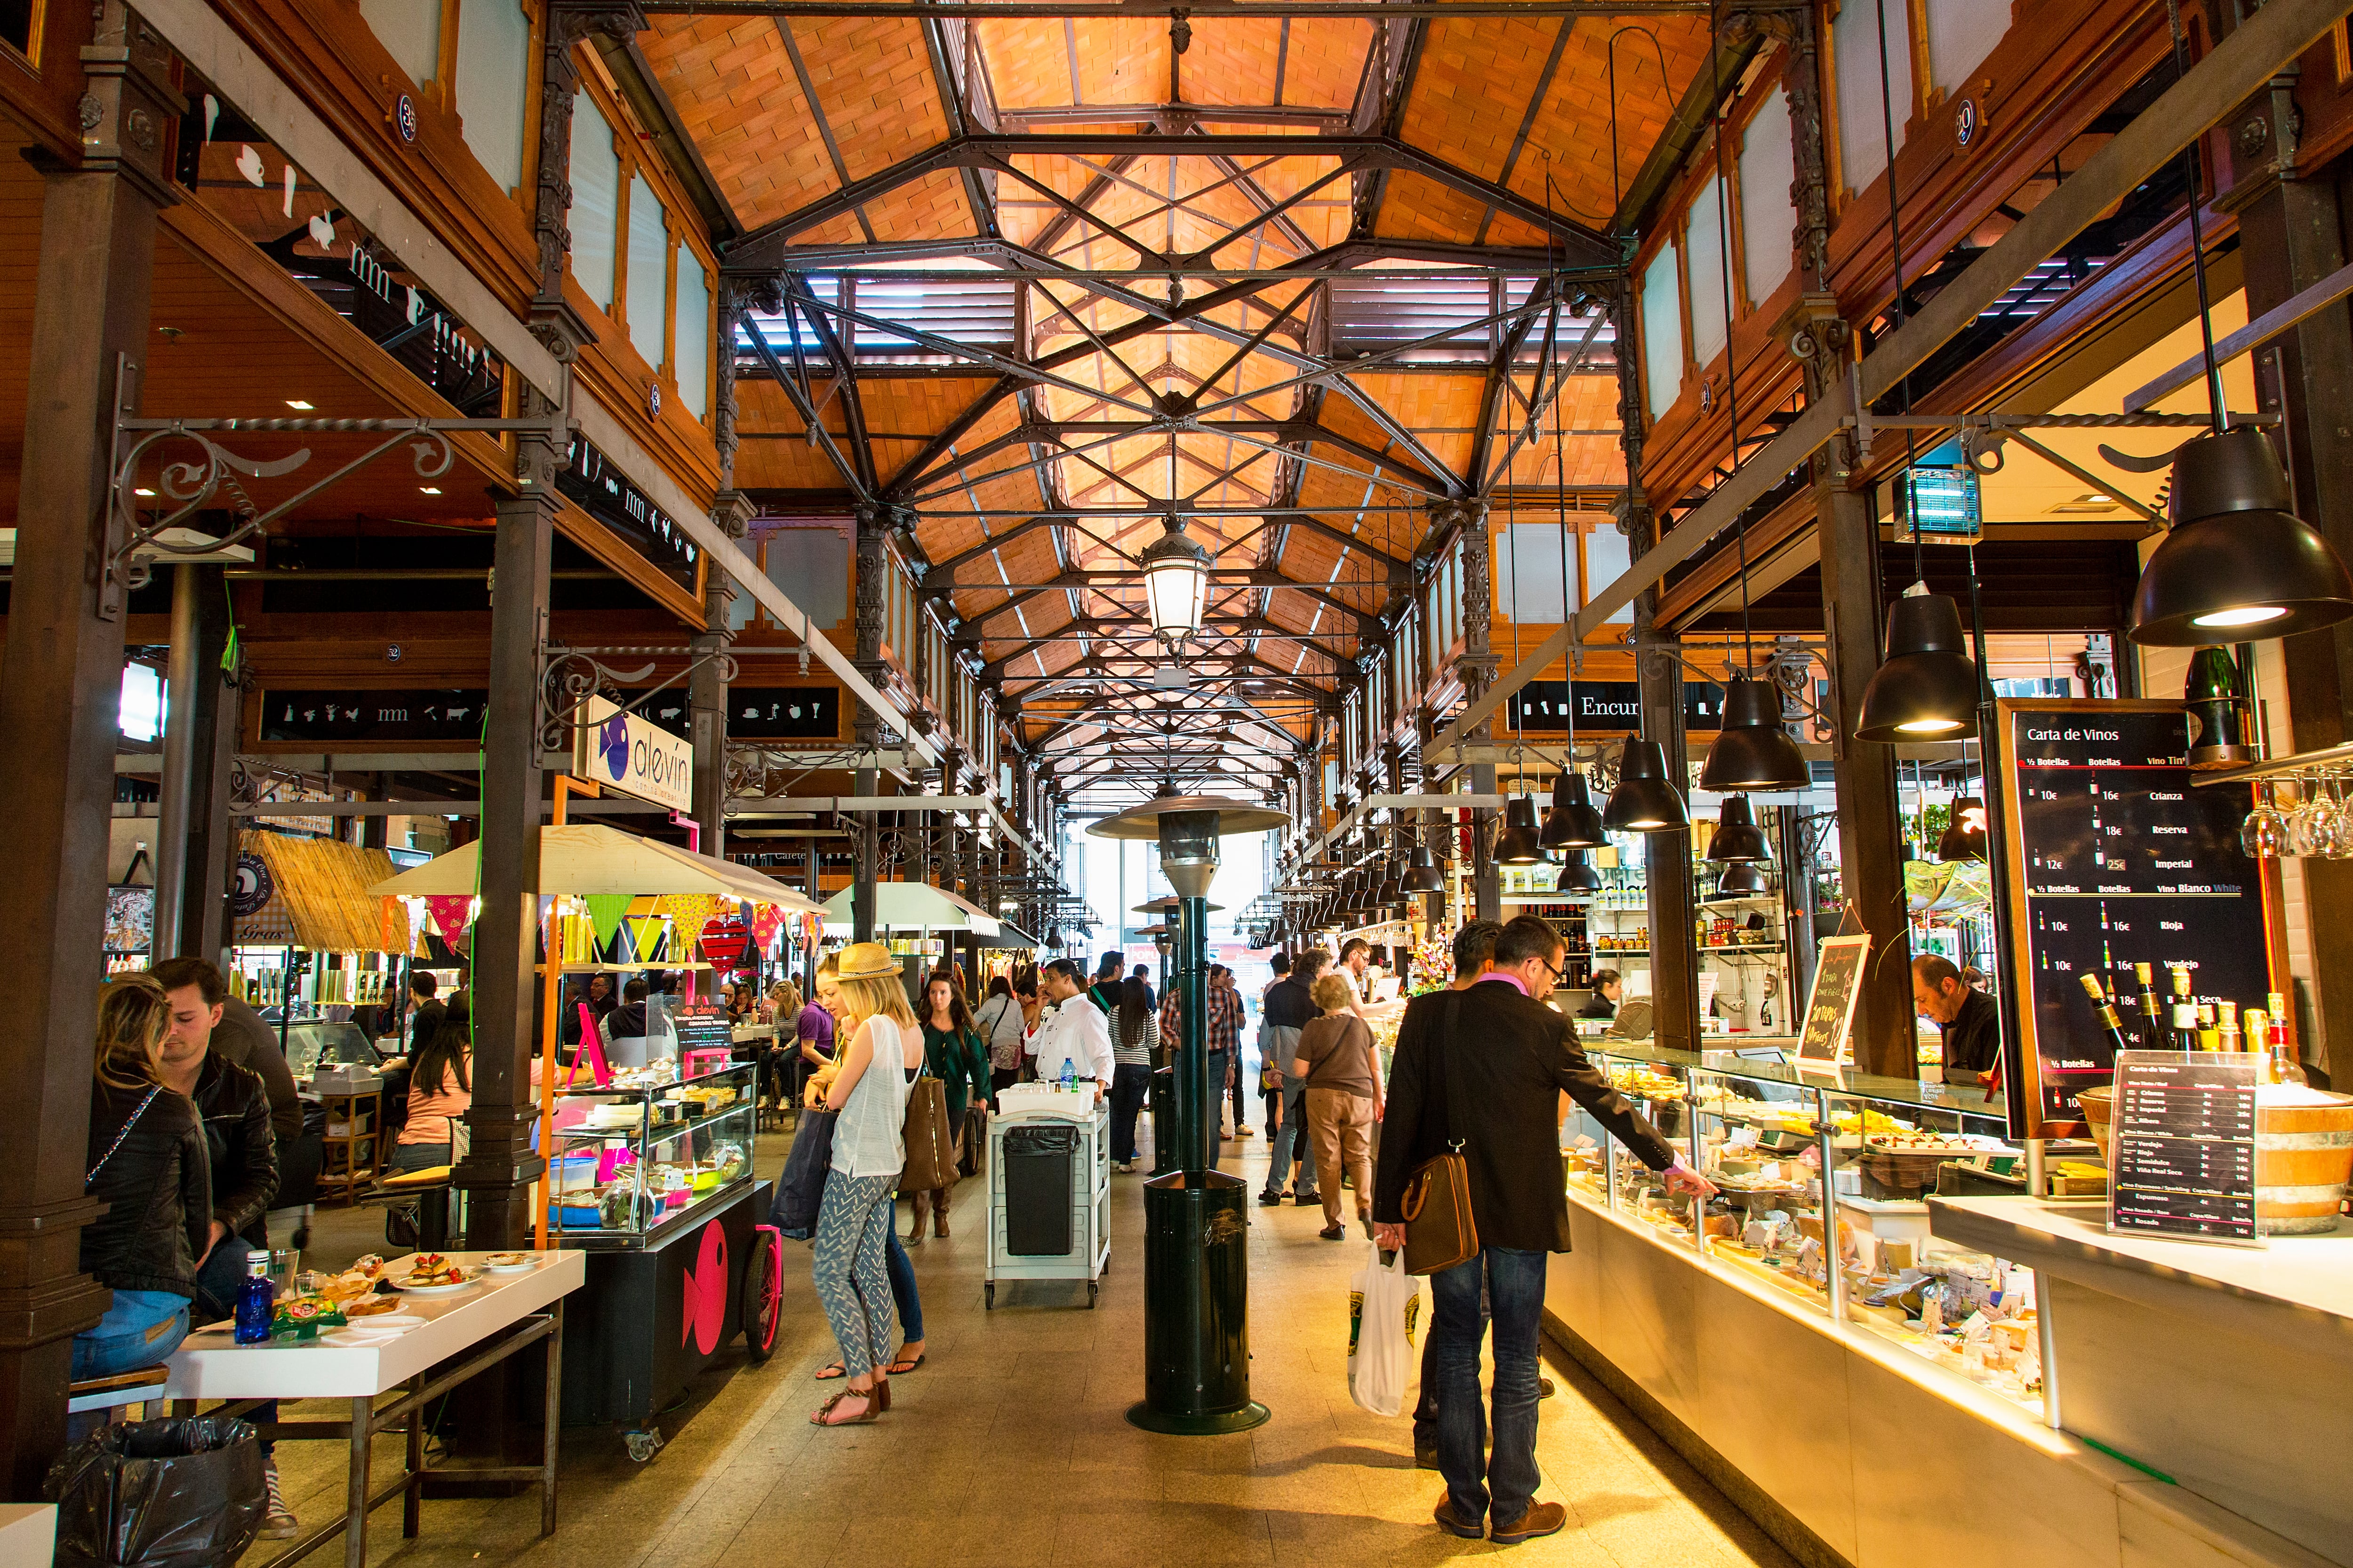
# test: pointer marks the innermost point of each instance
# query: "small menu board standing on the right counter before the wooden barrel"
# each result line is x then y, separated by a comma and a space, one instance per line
2182, 1145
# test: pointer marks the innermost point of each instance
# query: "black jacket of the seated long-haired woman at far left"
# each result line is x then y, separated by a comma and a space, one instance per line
156, 1190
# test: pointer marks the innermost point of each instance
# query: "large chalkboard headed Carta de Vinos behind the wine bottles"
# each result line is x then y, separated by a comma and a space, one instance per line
2114, 861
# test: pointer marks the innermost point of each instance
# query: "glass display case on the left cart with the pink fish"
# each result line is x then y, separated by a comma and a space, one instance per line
648, 1152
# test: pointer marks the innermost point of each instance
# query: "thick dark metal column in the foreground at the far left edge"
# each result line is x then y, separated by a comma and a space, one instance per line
60, 712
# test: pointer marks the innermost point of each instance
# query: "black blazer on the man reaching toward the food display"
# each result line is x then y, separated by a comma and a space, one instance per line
1514, 1058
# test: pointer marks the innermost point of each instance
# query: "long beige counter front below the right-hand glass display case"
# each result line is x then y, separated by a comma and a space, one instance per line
1874, 1454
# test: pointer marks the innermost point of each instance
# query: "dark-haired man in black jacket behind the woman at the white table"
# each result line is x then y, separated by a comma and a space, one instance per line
244, 1150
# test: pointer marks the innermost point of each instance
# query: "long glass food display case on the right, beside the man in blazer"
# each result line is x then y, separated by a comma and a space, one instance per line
1855, 1247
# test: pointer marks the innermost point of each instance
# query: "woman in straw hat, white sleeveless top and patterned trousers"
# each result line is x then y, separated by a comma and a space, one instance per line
869, 1150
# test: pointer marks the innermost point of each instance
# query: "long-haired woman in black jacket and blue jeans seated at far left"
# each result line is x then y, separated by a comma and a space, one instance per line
149, 1167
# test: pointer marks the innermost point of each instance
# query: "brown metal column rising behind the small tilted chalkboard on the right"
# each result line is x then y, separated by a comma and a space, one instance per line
1869, 844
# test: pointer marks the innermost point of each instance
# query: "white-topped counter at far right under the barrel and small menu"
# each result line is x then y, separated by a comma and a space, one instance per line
2225, 1369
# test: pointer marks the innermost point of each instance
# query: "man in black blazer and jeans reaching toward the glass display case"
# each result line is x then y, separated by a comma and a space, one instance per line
1488, 1068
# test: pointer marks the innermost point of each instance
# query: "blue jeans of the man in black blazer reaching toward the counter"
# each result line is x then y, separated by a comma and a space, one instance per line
1507, 1477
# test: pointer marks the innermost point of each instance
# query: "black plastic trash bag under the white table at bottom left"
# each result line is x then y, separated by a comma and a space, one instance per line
178, 1494
